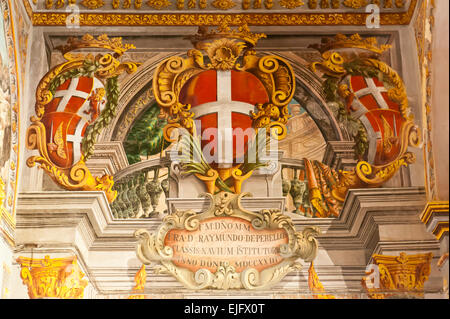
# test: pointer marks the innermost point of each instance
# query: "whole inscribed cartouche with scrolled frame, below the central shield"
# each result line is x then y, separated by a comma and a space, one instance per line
186, 257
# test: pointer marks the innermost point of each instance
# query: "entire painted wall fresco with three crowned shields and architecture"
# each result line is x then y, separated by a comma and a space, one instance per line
233, 158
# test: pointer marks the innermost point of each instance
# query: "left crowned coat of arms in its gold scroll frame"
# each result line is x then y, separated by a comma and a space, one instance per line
74, 101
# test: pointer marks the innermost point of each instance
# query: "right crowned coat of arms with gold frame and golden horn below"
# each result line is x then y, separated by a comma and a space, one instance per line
369, 98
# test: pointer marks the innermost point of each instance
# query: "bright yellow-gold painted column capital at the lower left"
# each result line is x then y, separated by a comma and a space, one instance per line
52, 277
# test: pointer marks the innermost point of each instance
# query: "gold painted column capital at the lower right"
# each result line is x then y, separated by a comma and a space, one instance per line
403, 275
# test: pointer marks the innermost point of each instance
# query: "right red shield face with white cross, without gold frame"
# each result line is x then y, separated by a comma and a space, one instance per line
380, 116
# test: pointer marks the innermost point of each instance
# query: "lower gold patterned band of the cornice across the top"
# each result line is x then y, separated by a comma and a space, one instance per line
56, 18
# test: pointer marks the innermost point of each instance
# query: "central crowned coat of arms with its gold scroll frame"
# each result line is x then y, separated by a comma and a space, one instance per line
235, 89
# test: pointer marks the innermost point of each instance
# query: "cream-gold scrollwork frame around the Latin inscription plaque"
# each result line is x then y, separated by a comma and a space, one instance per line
301, 245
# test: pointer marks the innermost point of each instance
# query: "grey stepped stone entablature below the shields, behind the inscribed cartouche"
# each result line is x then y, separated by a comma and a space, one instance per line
364, 227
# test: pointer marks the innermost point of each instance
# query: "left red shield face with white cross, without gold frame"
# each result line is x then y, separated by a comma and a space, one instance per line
76, 104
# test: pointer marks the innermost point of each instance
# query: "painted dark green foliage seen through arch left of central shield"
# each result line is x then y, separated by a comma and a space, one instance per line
146, 136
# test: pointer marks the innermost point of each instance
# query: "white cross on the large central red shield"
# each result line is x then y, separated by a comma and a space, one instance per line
224, 107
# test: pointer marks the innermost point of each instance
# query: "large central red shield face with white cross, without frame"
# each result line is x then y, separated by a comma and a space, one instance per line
222, 102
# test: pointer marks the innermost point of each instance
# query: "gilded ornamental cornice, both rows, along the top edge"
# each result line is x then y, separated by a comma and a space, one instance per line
212, 13
